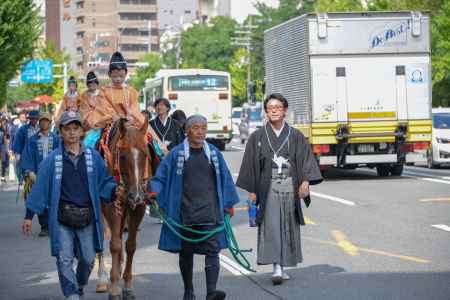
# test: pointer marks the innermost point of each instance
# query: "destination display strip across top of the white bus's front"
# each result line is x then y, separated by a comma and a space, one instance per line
198, 83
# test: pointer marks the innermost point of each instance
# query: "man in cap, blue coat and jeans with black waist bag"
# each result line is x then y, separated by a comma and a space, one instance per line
71, 182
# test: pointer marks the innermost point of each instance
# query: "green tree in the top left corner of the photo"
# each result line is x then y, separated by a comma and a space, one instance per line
20, 28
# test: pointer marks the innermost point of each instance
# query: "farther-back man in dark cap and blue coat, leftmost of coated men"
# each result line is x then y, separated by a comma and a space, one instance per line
22, 136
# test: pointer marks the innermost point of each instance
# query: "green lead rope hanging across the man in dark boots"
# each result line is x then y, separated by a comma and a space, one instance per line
233, 246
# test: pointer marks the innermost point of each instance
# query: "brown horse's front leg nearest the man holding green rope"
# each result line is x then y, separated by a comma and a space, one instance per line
134, 220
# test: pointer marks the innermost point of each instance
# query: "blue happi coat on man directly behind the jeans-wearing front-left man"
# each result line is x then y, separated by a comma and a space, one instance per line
32, 156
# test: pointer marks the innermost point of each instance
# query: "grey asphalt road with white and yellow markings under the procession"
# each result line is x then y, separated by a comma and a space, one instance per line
367, 238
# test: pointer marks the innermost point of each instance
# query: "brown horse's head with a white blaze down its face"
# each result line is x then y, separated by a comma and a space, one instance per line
133, 161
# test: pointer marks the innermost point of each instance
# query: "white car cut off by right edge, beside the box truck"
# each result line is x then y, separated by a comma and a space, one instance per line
439, 153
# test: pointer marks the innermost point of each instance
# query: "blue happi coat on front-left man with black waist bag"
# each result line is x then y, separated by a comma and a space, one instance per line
46, 192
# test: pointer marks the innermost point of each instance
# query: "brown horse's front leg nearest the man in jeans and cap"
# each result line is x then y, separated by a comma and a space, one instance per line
115, 247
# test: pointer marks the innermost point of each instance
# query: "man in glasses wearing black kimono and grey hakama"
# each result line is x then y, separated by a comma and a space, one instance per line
277, 169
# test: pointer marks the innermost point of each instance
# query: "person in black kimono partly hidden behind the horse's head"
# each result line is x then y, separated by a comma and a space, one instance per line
168, 130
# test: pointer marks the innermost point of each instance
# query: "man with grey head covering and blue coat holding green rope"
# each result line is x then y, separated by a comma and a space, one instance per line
194, 187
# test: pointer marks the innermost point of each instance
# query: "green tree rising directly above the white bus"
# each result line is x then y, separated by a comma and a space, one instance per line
208, 45
